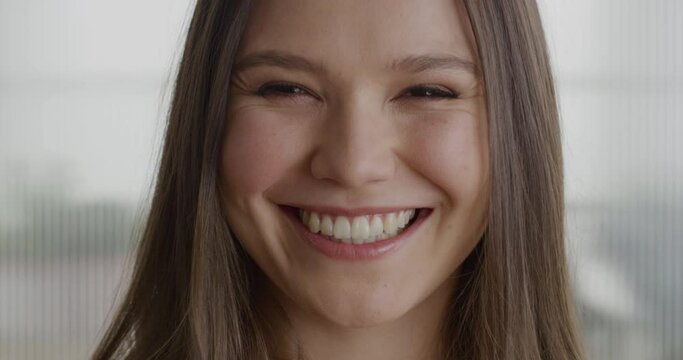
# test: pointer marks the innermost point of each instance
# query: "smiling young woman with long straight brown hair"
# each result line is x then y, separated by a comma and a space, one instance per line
356, 180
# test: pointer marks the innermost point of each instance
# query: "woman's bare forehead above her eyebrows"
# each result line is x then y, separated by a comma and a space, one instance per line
358, 33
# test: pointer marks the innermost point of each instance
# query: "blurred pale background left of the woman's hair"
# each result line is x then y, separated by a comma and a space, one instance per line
83, 93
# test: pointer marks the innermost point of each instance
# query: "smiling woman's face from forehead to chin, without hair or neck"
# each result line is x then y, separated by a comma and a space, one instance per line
357, 112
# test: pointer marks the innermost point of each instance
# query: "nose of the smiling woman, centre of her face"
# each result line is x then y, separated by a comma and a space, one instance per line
356, 145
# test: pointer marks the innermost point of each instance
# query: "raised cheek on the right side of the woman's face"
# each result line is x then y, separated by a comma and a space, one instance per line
451, 152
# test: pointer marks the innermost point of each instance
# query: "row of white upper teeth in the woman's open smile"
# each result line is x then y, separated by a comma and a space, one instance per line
359, 229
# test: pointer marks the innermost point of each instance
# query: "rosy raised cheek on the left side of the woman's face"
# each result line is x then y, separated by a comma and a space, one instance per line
258, 148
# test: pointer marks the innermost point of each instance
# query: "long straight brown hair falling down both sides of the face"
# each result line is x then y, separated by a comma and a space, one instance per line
192, 286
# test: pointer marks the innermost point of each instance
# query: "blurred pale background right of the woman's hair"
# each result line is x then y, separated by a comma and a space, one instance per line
619, 66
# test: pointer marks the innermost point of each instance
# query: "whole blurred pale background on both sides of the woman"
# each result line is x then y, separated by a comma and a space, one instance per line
84, 89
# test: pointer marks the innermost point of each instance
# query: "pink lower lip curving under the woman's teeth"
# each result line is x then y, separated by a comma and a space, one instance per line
355, 252
